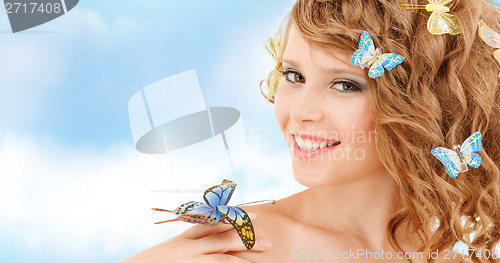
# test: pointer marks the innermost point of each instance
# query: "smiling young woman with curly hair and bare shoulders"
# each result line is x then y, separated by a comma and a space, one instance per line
363, 145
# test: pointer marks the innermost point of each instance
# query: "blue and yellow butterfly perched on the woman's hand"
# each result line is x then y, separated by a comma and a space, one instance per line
216, 198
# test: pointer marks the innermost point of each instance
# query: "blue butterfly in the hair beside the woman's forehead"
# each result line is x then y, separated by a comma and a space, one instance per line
367, 56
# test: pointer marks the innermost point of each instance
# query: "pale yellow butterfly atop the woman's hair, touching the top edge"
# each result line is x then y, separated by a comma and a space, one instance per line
440, 22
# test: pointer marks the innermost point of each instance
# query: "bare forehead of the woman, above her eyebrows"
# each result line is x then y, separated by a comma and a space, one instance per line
300, 50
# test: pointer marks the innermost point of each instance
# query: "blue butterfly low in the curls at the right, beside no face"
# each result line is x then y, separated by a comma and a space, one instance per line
455, 161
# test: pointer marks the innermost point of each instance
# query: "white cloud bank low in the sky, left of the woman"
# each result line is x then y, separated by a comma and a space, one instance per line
69, 201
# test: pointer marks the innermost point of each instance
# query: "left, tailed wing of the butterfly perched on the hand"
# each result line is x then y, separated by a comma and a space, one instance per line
194, 212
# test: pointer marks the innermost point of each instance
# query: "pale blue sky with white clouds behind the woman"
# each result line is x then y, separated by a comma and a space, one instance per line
72, 186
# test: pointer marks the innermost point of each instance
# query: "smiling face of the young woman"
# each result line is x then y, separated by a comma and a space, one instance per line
324, 100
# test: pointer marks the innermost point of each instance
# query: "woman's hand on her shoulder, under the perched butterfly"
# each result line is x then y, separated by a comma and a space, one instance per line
200, 243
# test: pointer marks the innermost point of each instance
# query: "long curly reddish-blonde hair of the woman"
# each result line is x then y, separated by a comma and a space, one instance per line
446, 89
